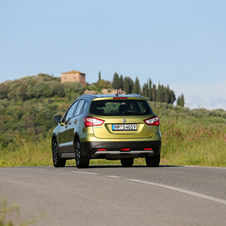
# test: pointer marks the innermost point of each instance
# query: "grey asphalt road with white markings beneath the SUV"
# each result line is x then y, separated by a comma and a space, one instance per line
113, 195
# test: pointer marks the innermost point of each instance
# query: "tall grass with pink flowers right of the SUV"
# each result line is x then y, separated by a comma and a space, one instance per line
201, 144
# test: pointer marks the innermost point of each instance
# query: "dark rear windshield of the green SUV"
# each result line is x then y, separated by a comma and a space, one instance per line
120, 107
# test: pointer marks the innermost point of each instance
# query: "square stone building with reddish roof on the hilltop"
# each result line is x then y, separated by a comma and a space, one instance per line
73, 76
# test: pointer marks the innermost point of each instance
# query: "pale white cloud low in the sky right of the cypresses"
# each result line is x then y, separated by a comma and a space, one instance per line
209, 95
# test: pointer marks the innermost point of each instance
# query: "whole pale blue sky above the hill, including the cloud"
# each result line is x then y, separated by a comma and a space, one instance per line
177, 43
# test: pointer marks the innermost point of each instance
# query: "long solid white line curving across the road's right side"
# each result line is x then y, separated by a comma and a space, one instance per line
222, 201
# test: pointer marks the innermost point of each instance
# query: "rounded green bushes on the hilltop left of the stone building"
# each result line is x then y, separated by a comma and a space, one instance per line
40, 86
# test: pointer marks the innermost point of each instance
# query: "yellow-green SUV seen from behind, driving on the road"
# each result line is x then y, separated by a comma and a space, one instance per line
107, 127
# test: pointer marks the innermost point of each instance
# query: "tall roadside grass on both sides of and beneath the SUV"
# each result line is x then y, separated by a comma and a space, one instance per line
186, 140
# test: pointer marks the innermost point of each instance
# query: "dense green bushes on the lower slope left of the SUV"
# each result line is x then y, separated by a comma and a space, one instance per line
28, 118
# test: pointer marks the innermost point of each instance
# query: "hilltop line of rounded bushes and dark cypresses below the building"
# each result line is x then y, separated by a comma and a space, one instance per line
44, 85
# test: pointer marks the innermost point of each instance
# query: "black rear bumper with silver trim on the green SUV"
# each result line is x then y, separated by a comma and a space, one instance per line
113, 149
